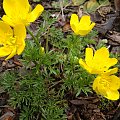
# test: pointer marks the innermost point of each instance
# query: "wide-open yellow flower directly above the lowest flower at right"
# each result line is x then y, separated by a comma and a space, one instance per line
99, 63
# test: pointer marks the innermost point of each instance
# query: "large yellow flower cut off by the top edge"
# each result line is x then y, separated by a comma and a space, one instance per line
19, 11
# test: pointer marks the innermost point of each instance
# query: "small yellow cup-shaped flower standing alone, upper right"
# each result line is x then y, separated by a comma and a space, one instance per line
82, 27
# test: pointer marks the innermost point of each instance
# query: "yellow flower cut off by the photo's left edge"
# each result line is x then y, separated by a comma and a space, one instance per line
11, 40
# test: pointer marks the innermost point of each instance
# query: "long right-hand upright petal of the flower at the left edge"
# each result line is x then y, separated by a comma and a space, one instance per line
20, 34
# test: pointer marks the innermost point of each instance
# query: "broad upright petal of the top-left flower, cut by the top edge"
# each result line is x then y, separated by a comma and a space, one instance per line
16, 8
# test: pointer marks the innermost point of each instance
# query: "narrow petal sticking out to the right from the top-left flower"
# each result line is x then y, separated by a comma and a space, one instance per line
32, 16
